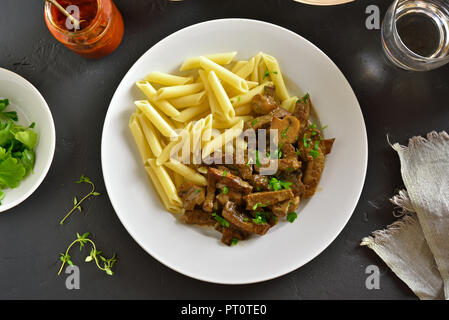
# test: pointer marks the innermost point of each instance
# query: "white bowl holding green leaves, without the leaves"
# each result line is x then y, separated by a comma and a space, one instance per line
31, 107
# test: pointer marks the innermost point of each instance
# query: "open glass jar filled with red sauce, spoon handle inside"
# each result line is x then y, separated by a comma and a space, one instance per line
100, 31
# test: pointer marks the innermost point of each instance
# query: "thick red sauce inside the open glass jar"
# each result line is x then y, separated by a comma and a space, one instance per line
87, 10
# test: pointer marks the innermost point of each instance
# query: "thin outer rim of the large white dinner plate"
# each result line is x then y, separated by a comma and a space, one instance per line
274, 275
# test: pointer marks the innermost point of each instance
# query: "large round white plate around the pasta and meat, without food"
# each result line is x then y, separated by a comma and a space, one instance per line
195, 251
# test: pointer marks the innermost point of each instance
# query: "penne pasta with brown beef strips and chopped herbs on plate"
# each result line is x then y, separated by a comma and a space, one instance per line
226, 145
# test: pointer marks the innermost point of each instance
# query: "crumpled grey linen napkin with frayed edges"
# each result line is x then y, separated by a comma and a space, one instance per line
416, 247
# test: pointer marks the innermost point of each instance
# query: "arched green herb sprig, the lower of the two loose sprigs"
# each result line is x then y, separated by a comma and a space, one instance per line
94, 255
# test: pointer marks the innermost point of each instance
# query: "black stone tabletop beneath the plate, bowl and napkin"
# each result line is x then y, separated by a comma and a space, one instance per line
394, 102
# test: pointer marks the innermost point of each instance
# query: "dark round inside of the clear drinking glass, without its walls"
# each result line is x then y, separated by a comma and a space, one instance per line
419, 33
